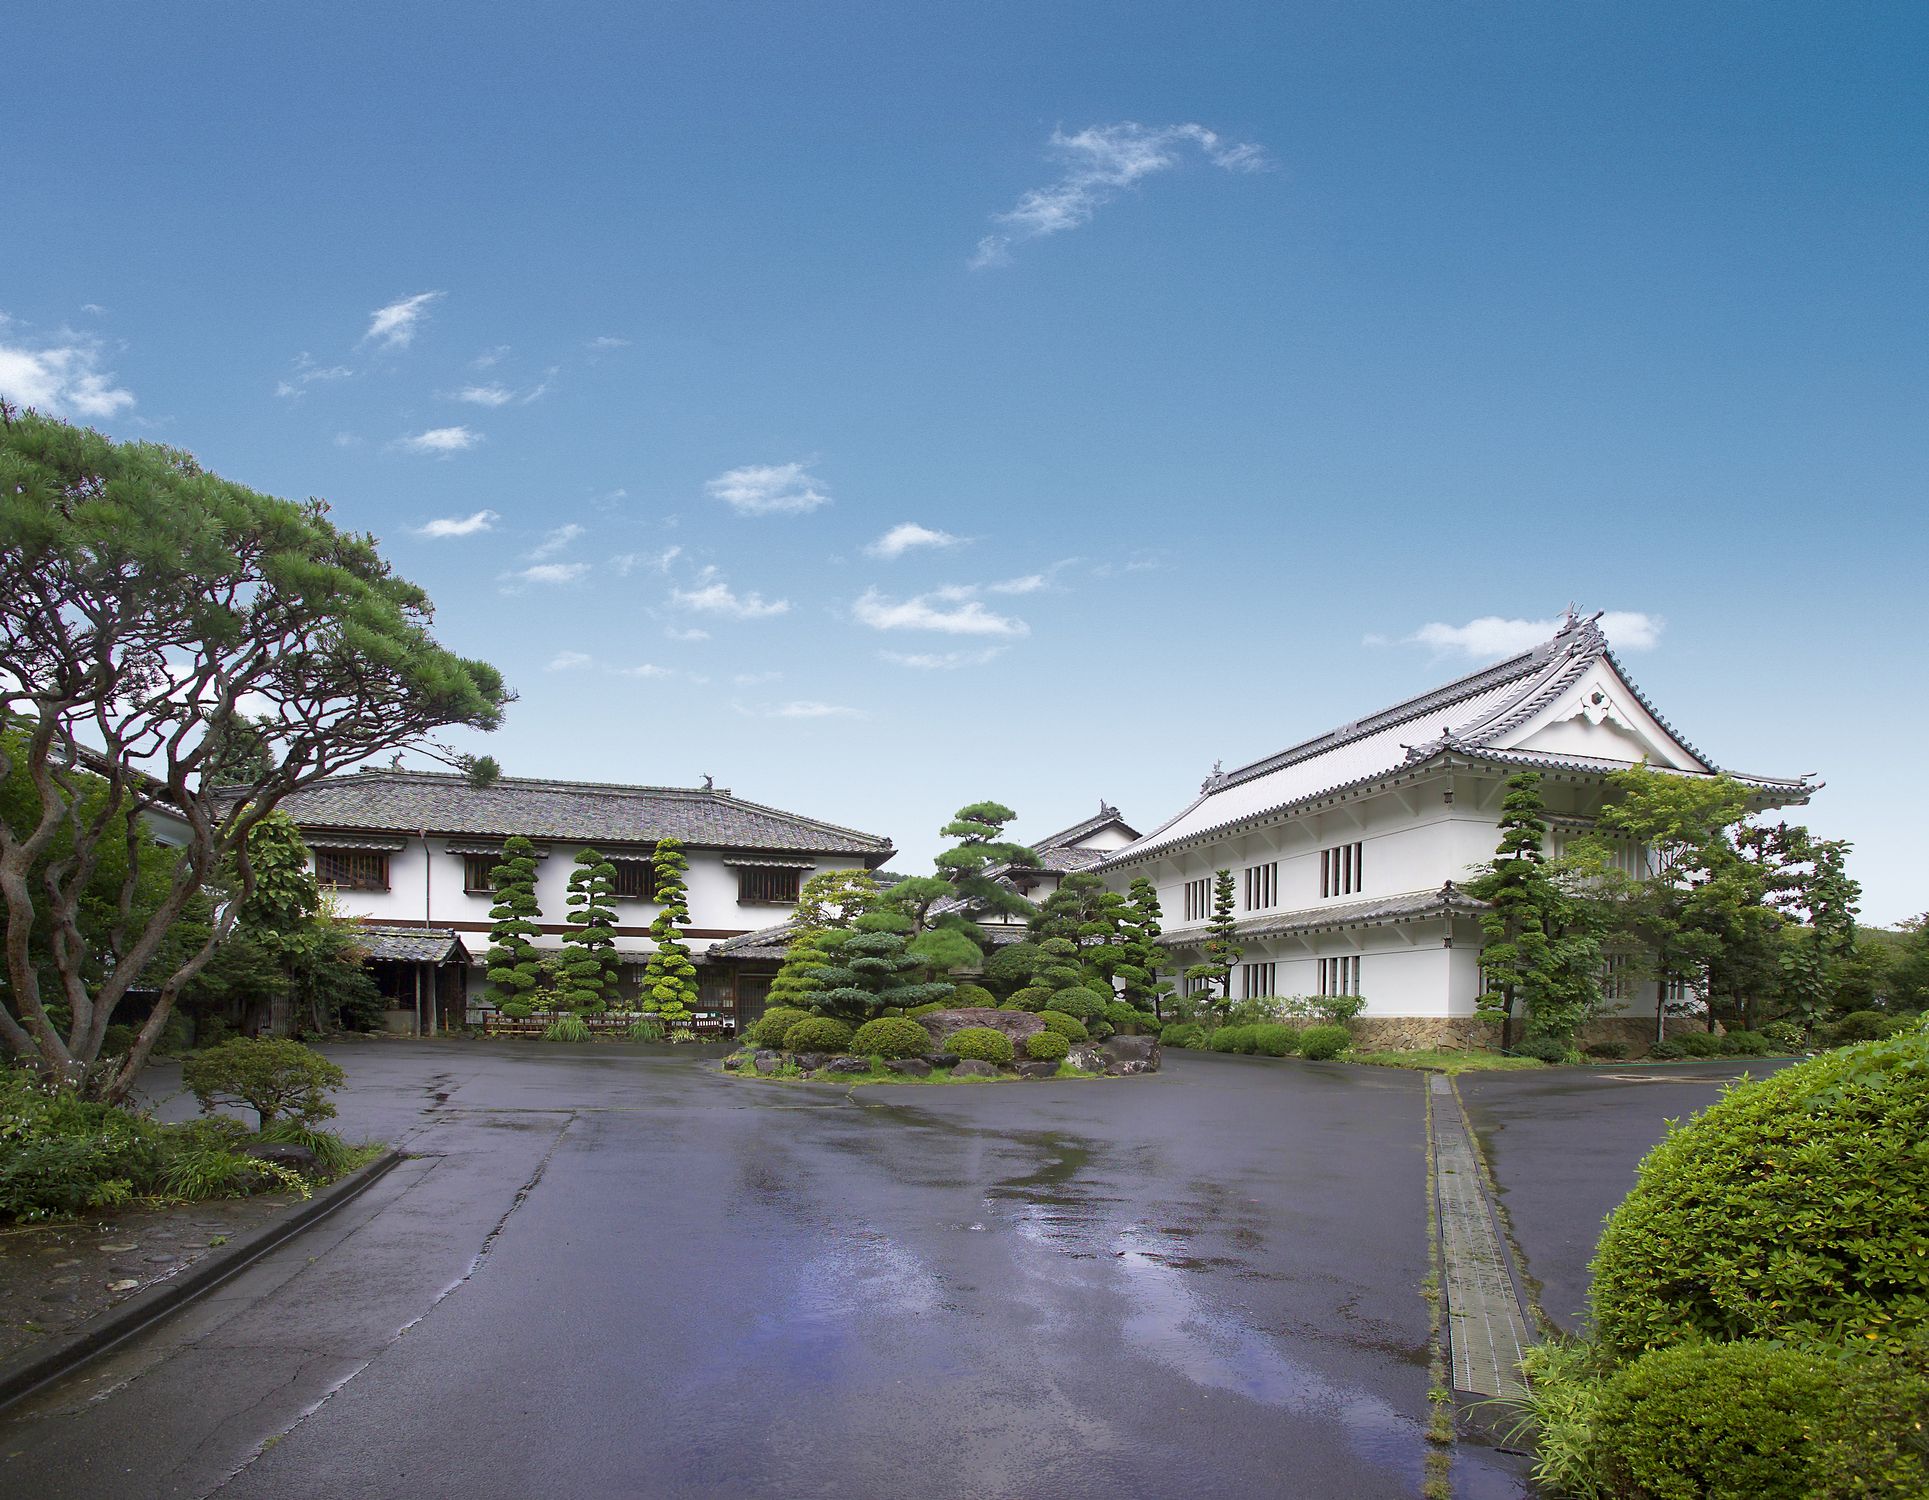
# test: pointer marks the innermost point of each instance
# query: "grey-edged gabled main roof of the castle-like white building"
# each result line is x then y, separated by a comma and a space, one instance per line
1481, 716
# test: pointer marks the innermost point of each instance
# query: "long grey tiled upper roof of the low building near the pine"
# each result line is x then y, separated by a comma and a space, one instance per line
568, 811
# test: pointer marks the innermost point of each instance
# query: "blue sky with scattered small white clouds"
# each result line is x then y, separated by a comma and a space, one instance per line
1216, 358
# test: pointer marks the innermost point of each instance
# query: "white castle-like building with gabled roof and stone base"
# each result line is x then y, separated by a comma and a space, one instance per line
1349, 851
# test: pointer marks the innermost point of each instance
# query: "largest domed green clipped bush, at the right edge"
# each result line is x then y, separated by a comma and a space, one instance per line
1797, 1210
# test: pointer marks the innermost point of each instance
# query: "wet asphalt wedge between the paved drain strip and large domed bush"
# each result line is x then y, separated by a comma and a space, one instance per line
1563, 1146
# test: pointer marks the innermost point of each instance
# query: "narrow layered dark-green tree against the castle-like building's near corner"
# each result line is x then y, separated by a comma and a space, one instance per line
1540, 953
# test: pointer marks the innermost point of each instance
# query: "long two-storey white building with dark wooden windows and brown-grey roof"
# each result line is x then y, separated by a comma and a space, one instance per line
410, 855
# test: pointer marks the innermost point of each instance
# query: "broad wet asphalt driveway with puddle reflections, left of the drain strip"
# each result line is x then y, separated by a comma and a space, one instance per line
612, 1273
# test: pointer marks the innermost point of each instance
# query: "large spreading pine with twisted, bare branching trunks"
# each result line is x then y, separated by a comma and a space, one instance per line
148, 603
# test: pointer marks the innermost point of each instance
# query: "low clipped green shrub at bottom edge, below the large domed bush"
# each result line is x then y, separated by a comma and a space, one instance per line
1725, 1422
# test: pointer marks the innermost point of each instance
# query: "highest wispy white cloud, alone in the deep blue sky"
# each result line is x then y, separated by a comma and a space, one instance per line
1100, 163
